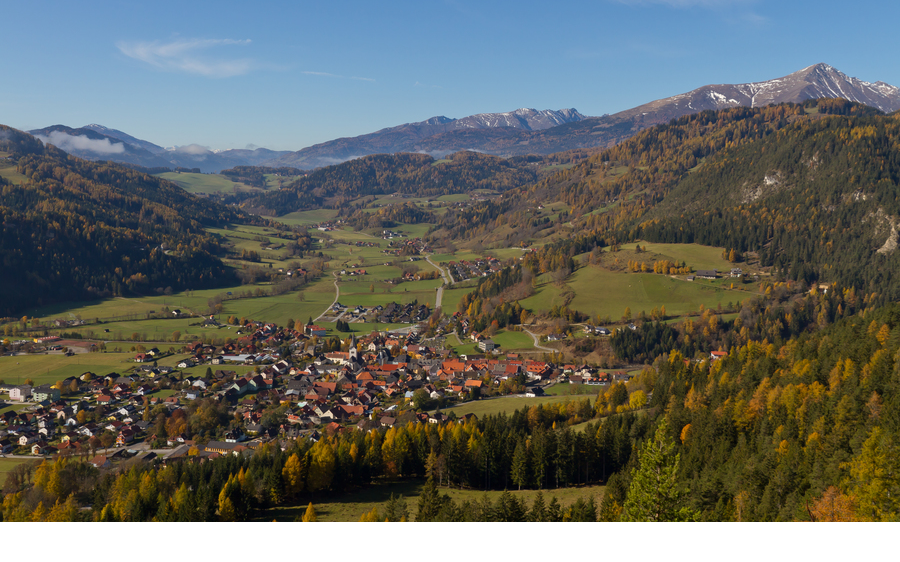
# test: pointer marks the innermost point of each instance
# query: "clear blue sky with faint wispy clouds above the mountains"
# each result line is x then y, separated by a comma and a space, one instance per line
286, 75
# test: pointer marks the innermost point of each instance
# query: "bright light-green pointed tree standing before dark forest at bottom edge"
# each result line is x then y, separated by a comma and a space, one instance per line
655, 494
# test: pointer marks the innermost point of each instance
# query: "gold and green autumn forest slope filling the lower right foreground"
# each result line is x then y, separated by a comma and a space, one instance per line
767, 431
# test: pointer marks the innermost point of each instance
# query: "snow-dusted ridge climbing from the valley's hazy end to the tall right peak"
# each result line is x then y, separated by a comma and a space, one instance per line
501, 134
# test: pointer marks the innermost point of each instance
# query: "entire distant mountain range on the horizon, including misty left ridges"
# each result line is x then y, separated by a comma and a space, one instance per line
520, 132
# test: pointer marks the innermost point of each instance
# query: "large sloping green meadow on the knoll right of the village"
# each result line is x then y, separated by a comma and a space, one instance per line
603, 293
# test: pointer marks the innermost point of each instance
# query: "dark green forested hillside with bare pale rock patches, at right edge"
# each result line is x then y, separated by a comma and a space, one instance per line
818, 201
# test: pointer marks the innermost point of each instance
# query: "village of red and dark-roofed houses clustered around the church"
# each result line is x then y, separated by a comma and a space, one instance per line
301, 386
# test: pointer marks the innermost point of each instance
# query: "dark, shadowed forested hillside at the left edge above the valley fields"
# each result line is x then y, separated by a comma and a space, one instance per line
75, 230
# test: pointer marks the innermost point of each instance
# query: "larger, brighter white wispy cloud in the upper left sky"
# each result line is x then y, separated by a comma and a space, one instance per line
190, 56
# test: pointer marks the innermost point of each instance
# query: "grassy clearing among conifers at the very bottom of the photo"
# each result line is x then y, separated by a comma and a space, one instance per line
351, 506
